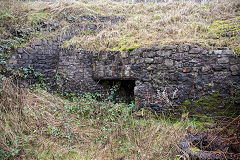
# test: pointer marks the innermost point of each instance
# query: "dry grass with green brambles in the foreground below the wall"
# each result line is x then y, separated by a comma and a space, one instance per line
35, 124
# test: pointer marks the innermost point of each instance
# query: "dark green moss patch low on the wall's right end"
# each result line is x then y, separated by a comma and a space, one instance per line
212, 106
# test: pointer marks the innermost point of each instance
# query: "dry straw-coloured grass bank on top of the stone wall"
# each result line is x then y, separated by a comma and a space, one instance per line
211, 24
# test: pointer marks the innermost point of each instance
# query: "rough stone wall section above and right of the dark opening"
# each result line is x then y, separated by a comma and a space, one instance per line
172, 74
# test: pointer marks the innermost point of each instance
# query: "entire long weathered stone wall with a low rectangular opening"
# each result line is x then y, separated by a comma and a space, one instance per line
157, 76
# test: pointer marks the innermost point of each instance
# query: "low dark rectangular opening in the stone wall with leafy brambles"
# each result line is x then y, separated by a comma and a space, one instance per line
118, 90
